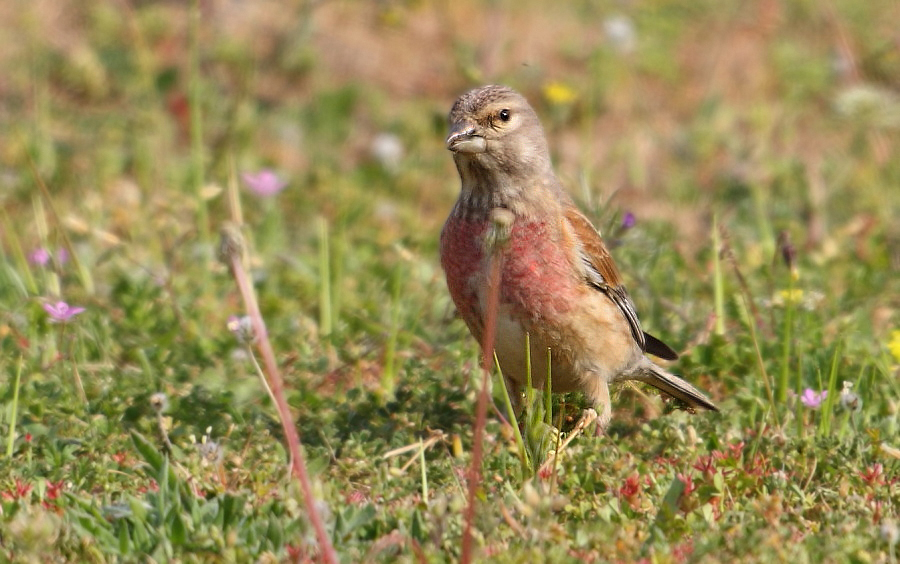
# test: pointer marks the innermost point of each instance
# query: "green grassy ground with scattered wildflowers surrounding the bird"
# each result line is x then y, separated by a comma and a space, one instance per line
719, 126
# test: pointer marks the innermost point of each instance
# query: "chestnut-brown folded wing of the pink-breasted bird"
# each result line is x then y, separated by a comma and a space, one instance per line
601, 272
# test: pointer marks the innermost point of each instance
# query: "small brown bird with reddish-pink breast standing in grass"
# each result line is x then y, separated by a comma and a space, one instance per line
558, 283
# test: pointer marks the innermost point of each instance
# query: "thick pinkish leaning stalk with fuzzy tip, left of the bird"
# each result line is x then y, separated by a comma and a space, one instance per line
231, 250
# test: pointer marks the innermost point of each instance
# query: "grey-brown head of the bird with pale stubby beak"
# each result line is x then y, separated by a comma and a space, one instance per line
497, 141
